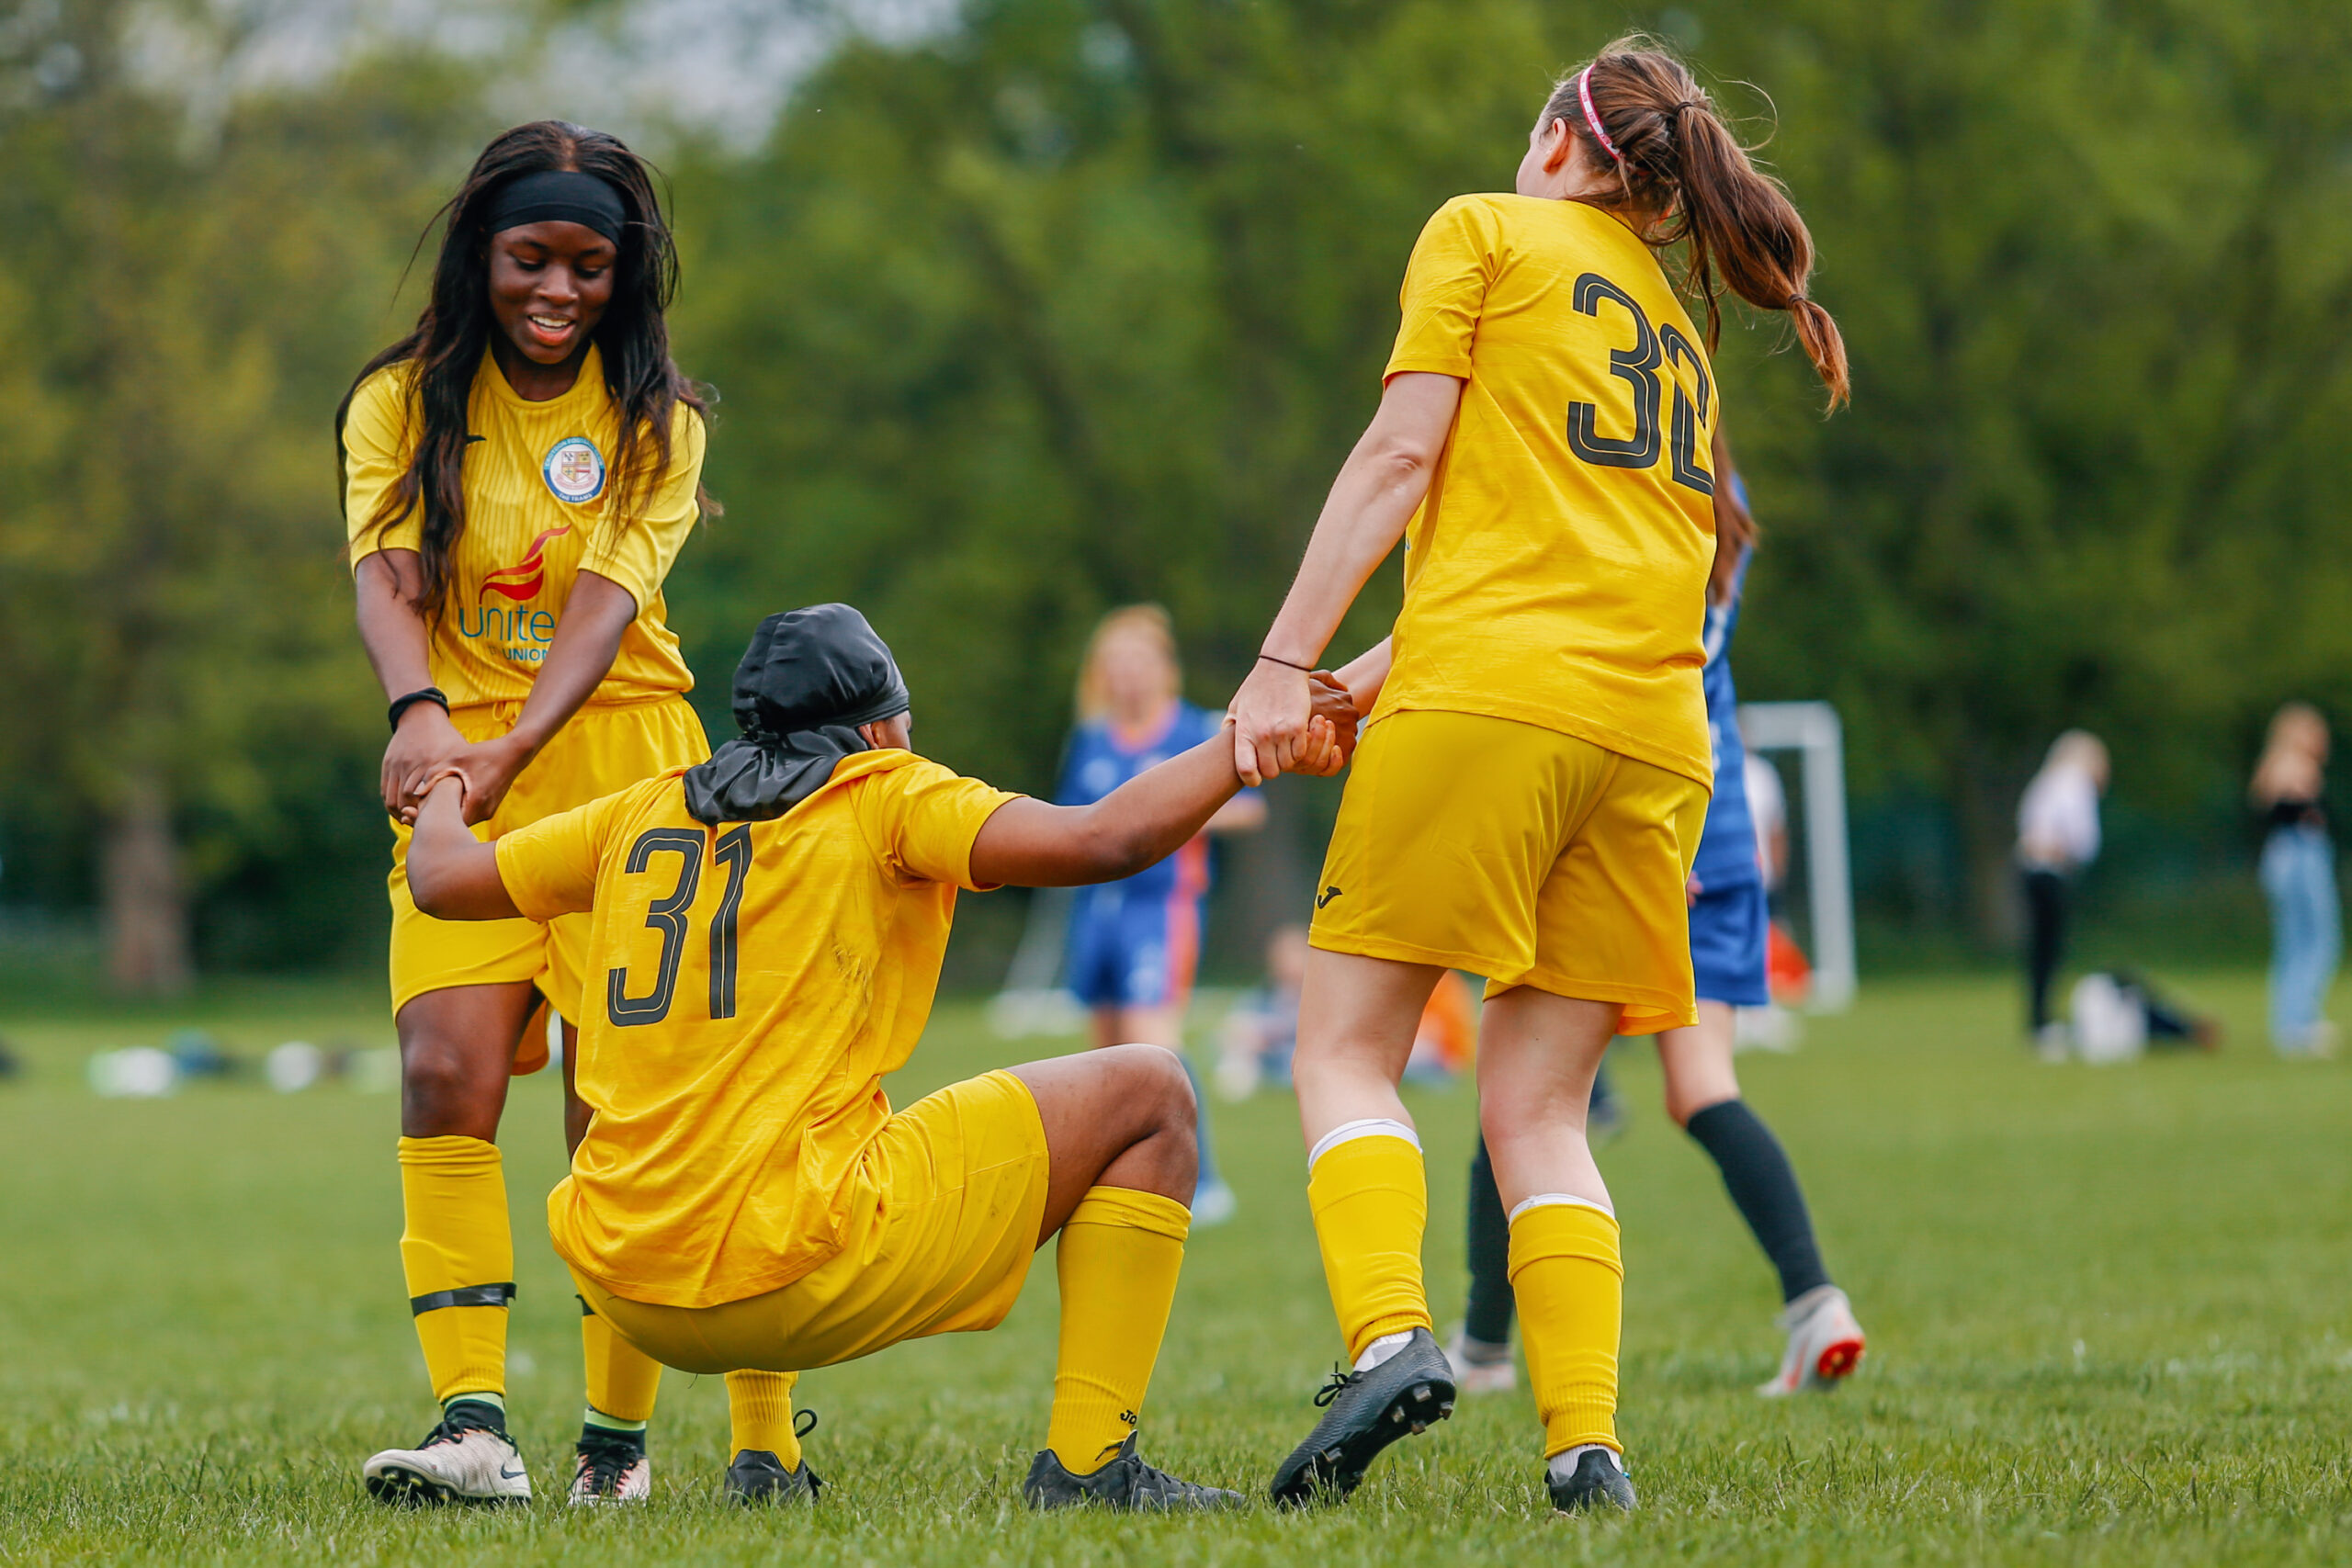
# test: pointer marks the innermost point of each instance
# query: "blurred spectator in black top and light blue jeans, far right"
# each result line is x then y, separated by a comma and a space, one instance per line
2299, 876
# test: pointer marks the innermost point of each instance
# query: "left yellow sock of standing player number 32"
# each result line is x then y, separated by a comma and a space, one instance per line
1372, 1202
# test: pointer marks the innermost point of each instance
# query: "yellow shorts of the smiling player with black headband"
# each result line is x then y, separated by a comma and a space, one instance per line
606, 746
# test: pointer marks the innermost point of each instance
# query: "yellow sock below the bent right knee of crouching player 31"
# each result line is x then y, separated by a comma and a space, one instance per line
1118, 1266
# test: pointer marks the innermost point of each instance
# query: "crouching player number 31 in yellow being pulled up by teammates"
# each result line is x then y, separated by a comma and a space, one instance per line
770, 930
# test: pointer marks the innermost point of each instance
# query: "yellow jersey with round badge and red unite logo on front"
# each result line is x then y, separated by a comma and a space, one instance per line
537, 514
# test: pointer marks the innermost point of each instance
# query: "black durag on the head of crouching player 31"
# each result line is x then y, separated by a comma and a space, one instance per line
806, 685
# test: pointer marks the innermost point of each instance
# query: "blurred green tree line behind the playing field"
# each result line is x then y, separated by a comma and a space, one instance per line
1081, 302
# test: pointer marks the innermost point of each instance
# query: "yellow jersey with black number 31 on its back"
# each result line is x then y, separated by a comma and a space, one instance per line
747, 991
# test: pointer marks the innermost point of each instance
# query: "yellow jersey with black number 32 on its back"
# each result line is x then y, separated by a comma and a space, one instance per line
1556, 575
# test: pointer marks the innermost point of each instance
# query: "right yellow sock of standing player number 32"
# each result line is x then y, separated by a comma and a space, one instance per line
1570, 1282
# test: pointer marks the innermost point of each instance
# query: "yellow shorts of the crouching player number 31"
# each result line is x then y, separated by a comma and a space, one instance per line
940, 1242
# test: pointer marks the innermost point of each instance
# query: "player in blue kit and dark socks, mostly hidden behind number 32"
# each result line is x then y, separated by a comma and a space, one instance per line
1702, 1090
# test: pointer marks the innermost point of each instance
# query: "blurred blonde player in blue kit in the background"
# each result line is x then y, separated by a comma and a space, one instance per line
1135, 944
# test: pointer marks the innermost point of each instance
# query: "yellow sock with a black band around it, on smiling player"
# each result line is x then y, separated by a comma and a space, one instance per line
460, 1261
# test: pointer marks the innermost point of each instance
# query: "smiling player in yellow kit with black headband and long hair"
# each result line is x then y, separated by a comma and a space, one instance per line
519, 476
